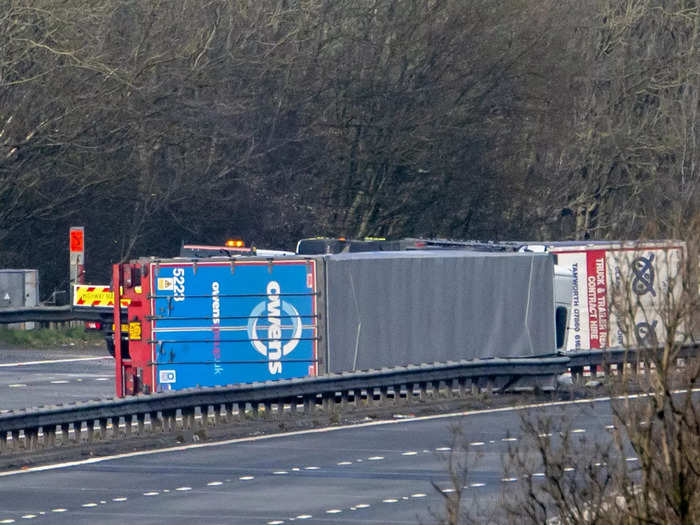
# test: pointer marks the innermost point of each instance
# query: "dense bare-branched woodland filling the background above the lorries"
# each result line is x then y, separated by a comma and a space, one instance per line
151, 122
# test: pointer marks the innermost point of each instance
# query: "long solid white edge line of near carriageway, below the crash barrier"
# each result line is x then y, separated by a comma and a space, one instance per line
418, 419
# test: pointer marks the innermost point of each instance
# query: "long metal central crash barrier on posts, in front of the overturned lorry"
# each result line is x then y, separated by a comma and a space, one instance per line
37, 428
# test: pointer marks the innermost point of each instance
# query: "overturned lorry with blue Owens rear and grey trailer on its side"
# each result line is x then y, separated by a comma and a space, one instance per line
243, 318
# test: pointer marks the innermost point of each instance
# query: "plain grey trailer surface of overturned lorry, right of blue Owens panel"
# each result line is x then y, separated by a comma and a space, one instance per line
399, 308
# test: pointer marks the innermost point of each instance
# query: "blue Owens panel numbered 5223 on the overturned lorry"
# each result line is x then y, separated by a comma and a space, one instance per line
223, 322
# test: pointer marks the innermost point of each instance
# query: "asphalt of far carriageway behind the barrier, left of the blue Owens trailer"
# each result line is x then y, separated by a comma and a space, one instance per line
30, 378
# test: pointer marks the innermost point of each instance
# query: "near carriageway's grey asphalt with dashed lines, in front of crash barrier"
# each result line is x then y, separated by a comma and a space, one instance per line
378, 473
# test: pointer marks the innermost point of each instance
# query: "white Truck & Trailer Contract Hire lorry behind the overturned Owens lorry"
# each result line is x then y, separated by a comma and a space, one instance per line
622, 293
